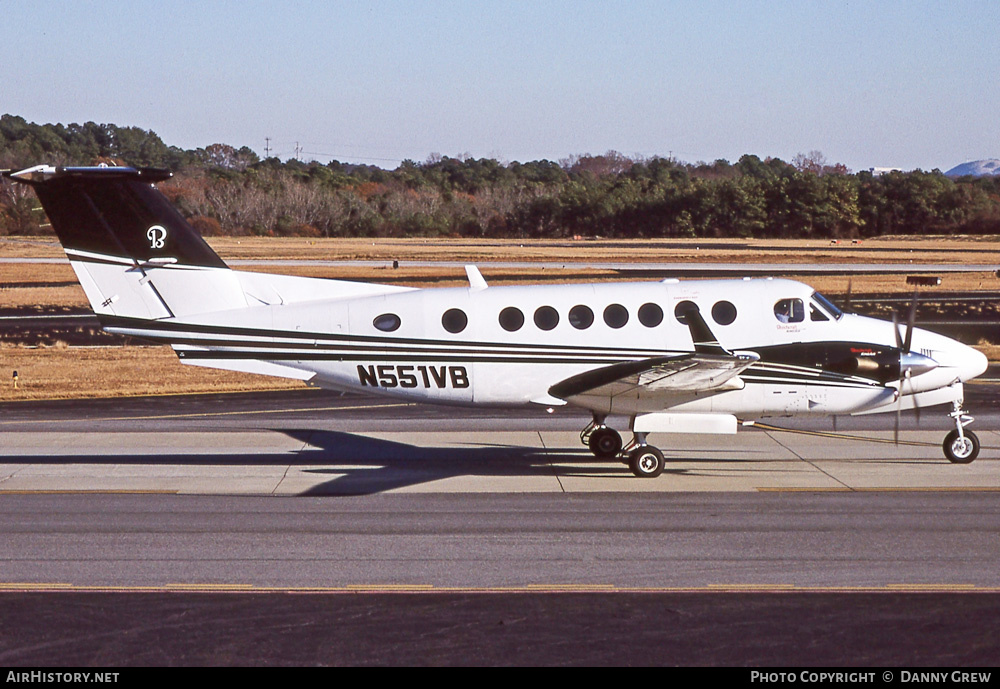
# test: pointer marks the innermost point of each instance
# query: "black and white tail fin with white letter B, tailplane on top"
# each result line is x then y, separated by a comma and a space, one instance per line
134, 254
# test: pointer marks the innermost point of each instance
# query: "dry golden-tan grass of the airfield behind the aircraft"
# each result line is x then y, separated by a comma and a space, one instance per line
56, 372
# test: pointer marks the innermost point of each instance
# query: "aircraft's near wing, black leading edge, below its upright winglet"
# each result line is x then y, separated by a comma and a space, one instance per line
687, 373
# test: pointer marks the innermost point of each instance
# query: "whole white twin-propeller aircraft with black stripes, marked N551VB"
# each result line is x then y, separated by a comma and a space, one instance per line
676, 357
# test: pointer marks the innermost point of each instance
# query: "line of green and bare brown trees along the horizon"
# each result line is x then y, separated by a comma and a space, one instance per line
224, 190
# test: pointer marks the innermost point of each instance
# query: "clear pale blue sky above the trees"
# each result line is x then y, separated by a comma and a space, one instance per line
907, 84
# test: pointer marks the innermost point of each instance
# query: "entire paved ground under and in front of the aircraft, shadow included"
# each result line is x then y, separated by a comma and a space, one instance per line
307, 528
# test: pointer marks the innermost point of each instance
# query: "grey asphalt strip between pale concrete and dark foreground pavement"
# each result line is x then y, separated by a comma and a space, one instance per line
499, 543
